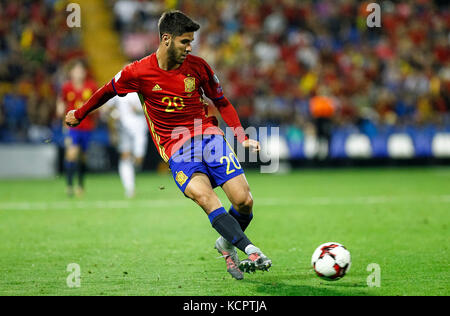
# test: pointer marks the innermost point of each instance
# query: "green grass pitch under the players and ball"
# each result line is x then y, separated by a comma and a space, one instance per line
161, 243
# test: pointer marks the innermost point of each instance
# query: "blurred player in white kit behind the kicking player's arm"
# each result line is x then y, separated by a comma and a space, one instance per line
133, 136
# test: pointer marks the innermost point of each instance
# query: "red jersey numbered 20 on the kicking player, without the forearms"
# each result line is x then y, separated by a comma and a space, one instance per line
173, 99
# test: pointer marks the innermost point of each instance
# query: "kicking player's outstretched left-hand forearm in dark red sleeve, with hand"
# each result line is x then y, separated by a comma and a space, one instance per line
100, 97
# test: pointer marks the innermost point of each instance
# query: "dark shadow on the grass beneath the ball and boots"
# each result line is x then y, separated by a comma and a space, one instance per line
277, 287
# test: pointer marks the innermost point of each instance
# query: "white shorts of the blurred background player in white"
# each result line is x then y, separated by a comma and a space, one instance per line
133, 141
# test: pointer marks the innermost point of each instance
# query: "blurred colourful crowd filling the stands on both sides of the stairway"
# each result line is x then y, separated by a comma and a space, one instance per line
273, 58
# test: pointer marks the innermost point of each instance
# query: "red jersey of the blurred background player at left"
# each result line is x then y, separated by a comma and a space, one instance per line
74, 99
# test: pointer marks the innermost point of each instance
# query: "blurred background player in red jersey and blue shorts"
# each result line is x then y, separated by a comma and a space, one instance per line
74, 93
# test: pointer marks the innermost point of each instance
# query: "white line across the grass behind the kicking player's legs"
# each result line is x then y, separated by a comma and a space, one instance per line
170, 203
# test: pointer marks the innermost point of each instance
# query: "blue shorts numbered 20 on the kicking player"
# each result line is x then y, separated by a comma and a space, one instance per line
208, 154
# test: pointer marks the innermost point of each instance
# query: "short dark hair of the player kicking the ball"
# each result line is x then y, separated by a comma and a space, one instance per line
176, 23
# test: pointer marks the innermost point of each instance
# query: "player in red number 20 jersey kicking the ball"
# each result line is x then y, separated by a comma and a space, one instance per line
173, 83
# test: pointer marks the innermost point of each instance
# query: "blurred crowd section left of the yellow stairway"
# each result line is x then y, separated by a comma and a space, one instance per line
35, 44
